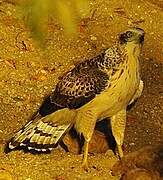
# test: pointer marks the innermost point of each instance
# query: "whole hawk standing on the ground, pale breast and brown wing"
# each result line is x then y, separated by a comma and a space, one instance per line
95, 89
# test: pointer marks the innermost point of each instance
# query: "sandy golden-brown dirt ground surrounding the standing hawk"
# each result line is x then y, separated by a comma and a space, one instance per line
28, 73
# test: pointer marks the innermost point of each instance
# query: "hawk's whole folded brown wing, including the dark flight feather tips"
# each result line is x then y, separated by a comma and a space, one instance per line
77, 87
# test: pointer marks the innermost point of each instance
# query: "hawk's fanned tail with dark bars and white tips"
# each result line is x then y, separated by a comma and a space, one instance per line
42, 134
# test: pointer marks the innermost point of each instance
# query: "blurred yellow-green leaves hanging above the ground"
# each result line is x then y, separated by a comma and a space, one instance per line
66, 12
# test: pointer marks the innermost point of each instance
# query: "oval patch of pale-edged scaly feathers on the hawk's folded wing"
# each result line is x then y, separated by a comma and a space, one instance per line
79, 87
